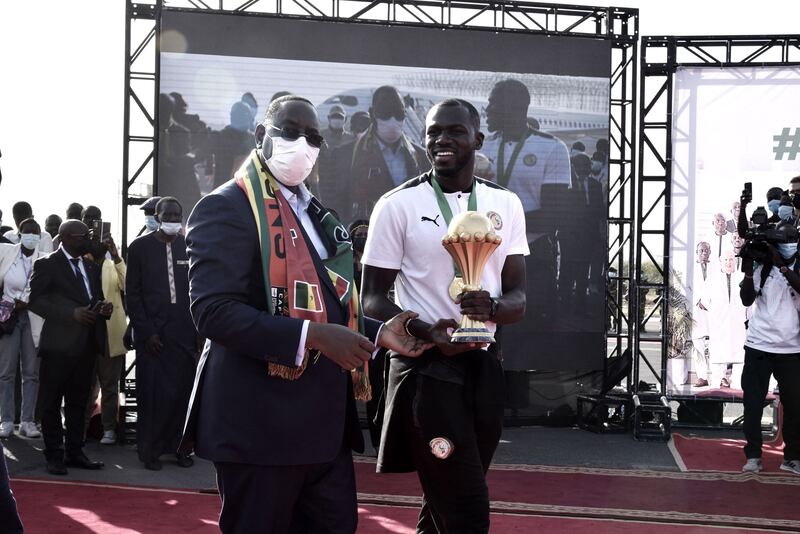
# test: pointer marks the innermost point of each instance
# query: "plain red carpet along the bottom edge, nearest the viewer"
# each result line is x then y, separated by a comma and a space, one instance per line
63, 507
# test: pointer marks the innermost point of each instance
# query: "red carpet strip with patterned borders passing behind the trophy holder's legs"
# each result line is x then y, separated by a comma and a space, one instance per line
706, 498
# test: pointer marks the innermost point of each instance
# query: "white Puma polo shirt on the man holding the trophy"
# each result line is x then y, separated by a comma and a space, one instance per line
405, 234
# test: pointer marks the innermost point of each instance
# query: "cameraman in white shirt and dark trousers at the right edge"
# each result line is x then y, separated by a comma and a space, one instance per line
772, 284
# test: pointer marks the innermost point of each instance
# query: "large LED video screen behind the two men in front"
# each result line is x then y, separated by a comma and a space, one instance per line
373, 86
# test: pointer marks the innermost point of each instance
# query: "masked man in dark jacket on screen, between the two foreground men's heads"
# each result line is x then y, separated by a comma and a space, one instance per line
385, 156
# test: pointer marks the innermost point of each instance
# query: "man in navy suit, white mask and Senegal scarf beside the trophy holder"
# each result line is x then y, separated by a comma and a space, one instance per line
281, 447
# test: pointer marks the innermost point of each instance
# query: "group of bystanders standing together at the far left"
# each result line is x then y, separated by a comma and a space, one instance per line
71, 309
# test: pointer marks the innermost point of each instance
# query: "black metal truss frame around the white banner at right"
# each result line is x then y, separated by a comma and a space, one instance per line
660, 58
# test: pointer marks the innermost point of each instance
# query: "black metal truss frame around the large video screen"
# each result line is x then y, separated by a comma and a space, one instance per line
619, 26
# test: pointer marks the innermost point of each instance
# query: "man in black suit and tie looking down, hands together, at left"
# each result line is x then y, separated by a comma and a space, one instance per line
66, 291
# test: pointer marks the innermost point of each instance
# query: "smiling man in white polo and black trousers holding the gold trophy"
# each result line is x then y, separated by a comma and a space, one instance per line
444, 410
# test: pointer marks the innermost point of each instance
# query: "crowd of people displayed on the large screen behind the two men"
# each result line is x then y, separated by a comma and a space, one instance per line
563, 189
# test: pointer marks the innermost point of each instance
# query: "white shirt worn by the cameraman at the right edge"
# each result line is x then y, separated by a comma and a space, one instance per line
774, 324
